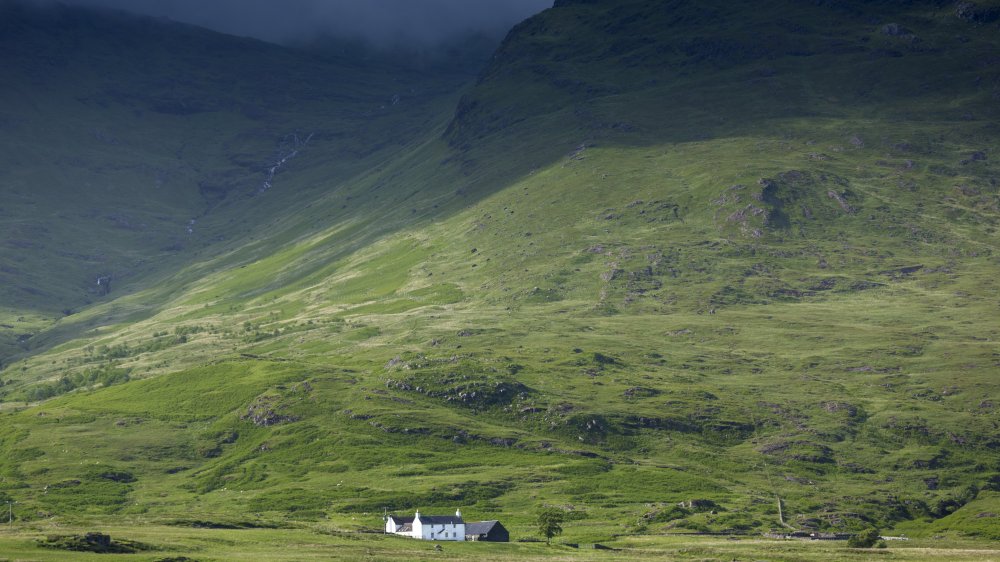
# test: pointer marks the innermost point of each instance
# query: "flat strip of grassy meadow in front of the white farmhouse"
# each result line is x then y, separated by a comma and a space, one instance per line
318, 543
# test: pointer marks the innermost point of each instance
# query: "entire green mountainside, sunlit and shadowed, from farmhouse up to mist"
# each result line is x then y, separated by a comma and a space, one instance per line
667, 266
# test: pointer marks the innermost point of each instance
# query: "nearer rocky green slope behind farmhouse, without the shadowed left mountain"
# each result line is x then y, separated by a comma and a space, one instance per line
649, 267
